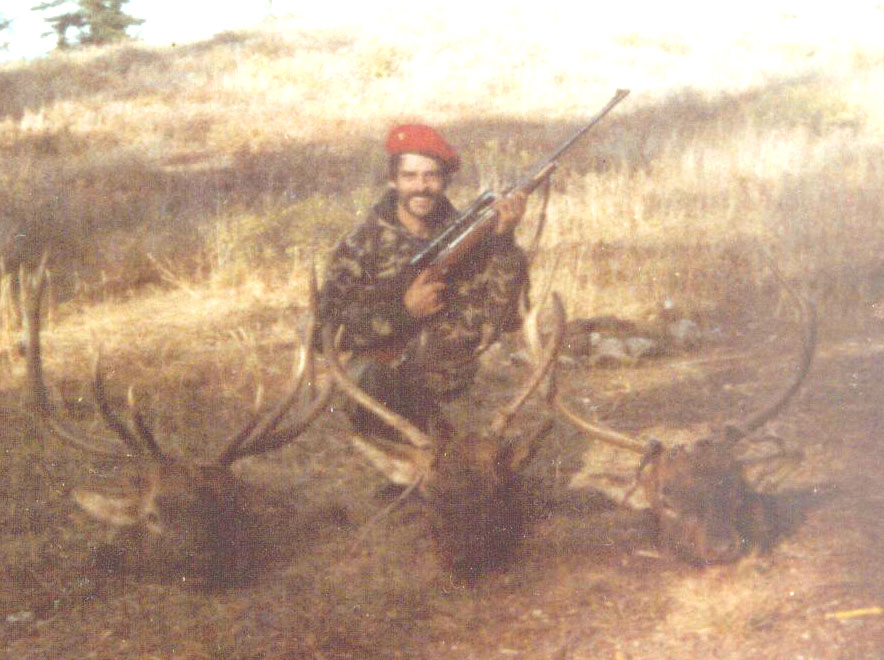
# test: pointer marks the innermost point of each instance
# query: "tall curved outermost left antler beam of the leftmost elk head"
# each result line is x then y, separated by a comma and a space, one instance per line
31, 294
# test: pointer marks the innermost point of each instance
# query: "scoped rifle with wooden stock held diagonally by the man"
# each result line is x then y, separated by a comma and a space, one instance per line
479, 219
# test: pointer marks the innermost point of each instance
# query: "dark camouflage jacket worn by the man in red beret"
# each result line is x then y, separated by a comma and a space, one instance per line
363, 291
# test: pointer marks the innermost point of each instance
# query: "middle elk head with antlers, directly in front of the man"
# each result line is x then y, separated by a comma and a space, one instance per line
472, 484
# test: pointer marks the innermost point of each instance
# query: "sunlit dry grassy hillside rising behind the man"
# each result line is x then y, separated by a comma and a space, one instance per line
225, 162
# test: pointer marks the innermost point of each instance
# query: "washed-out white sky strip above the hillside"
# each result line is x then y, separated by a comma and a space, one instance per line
183, 21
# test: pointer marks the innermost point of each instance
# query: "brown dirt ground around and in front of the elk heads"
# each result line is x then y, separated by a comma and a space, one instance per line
586, 584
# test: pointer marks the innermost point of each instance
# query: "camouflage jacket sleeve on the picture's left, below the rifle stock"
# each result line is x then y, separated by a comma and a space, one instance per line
364, 294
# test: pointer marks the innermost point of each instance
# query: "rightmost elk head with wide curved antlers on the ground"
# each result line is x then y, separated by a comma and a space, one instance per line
706, 507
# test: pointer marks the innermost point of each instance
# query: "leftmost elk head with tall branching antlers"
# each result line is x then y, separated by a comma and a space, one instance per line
179, 518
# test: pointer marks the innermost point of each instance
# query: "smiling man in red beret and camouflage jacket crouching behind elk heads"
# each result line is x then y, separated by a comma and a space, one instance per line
416, 342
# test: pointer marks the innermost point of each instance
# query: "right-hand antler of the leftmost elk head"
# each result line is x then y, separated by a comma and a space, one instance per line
258, 436
